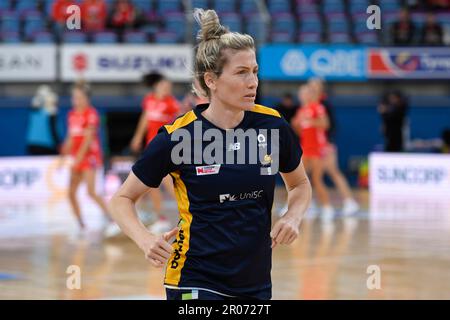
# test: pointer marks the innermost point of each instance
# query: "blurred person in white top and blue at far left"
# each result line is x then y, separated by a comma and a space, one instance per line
42, 136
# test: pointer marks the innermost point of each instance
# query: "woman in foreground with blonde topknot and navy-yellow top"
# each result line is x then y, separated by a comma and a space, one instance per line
224, 239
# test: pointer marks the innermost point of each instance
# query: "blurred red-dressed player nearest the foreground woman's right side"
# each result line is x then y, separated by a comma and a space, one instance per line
311, 122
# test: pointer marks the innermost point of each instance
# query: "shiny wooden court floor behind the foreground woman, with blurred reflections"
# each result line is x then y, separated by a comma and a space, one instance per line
406, 240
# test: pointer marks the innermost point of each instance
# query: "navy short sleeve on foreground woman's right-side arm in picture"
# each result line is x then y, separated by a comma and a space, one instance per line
290, 150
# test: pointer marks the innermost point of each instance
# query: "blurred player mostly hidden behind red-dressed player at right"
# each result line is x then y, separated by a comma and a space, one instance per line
330, 163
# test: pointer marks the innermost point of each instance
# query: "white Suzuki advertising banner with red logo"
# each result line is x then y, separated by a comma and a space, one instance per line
125, 63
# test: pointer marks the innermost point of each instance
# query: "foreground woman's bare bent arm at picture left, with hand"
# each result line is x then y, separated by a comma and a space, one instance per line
157, 249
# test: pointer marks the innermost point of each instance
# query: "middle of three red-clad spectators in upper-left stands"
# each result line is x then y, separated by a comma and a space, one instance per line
93, 15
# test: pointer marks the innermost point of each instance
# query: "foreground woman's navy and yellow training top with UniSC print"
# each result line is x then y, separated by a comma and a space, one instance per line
224, 242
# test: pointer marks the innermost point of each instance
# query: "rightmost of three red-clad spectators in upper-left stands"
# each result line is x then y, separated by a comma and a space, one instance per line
122, 16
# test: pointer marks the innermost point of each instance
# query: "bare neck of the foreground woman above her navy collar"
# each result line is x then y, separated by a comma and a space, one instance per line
223, 117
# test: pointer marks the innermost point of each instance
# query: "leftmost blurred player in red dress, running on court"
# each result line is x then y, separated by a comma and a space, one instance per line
82, 144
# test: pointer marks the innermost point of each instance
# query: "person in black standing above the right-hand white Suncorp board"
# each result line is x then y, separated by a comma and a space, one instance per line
393, 109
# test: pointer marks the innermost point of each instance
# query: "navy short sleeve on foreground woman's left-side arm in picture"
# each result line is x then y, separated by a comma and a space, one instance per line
155, 162
